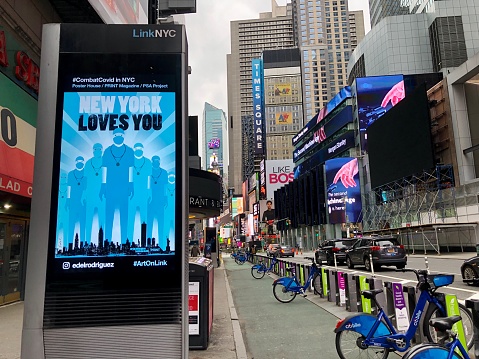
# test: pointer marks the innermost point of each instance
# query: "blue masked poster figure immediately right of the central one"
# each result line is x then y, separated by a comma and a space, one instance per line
139, 202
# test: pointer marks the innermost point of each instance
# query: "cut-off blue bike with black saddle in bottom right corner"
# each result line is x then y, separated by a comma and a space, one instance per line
445, 350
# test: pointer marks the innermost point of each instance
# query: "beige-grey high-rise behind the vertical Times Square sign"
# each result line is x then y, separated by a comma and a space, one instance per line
272, 30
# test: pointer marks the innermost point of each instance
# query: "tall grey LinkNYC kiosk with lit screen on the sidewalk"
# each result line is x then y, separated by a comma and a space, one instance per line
107, 271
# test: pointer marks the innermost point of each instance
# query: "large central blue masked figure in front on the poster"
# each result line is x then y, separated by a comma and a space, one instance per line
117, 187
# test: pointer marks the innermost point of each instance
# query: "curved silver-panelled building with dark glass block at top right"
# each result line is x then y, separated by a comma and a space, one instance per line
420, 41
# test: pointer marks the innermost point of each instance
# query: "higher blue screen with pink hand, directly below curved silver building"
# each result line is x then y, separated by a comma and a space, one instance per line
376, 96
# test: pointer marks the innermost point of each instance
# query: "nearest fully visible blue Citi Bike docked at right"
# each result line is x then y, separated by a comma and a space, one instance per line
375, 336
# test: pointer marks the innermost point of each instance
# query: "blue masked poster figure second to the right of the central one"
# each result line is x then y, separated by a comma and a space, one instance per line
157, 200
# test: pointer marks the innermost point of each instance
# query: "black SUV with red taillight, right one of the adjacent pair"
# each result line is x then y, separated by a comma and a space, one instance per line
385, 250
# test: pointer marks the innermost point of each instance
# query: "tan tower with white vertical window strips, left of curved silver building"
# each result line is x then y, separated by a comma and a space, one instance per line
323, 34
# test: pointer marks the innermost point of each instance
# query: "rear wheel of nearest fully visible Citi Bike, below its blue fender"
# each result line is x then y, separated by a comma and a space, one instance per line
348, 346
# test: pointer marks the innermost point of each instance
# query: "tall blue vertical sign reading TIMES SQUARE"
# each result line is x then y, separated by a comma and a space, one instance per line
258, 107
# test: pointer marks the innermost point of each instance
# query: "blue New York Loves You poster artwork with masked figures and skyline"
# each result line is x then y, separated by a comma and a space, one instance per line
116, 192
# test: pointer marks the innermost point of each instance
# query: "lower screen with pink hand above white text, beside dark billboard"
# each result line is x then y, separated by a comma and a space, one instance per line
343, 191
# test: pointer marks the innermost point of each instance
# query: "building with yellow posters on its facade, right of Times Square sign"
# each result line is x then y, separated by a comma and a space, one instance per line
283, 101
